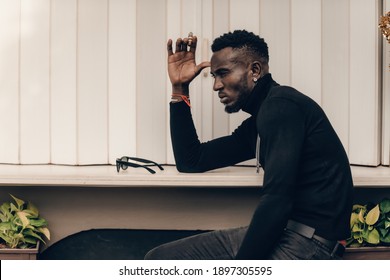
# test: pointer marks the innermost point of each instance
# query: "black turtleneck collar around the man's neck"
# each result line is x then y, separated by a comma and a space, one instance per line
258, 94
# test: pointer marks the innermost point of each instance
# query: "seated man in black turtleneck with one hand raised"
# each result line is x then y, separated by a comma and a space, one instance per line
306, 198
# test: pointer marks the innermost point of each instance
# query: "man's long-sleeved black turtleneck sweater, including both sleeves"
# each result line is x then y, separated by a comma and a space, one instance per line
307, 175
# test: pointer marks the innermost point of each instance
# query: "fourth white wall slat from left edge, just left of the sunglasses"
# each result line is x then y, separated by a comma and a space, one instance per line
92, 74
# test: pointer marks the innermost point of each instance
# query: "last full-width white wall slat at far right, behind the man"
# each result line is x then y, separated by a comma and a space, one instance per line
364, 83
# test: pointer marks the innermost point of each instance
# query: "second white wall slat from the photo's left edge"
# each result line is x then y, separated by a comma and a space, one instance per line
35, 82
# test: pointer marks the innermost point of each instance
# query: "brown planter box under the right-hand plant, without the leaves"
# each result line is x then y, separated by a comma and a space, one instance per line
367, 253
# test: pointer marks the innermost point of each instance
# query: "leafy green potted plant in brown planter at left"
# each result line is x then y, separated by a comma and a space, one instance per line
21, 230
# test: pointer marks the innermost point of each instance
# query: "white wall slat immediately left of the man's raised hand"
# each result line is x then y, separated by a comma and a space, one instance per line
151, 80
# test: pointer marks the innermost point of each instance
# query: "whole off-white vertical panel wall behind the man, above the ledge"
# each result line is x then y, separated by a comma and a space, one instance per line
84, 81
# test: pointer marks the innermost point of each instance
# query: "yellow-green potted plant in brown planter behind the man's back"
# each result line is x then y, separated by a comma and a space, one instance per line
370, 231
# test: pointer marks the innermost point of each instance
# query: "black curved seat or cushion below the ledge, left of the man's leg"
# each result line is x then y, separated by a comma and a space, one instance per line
110, 244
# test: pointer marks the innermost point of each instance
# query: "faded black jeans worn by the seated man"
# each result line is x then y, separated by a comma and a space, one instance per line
224, 245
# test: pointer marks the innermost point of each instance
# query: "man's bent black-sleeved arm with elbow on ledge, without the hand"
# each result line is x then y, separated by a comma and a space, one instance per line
193, 156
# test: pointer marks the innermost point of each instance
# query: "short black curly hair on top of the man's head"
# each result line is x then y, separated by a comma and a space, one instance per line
250, 43
